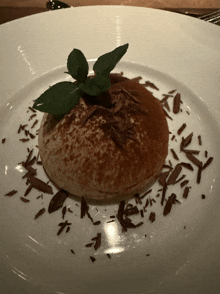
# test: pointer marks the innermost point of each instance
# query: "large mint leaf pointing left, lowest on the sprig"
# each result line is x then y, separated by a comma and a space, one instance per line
59, 99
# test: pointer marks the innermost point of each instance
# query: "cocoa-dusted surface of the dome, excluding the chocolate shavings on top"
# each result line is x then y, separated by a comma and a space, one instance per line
86, 162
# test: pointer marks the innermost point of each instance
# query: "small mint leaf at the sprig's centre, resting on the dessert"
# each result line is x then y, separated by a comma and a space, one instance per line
95, 86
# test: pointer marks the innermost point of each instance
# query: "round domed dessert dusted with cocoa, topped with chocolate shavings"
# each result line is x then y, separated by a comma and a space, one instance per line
109, 146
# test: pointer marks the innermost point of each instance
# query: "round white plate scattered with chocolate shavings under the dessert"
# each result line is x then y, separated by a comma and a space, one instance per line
172, 51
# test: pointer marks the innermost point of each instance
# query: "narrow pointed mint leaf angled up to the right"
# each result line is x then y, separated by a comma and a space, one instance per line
107, 62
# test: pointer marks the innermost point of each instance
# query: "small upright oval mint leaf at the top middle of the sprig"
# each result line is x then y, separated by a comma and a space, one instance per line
77, 65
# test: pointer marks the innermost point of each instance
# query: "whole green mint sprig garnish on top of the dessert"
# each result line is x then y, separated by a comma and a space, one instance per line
60, 98
